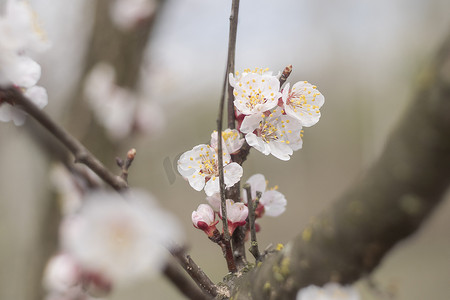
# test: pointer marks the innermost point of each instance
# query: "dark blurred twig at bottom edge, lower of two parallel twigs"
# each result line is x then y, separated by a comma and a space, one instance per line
187, 287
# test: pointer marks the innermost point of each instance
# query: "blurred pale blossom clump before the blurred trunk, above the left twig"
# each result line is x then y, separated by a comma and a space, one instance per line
118, 109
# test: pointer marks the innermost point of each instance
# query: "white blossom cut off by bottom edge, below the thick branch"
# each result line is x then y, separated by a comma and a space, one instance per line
330, 291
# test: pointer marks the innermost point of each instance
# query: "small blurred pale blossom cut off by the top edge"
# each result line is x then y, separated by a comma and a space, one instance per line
126, 14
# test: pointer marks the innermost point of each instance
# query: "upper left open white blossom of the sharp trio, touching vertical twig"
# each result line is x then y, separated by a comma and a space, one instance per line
255, 91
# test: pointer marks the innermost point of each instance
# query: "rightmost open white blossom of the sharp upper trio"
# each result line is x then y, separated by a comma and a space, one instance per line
303, 102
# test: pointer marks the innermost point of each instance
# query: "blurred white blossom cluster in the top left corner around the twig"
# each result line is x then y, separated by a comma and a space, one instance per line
19, 37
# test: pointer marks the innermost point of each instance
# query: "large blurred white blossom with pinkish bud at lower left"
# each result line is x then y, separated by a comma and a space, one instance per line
111, 240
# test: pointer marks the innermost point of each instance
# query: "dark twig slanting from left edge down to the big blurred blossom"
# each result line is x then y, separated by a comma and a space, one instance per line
82, 155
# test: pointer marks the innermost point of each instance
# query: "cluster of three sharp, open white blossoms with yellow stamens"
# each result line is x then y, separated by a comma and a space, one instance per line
272, 120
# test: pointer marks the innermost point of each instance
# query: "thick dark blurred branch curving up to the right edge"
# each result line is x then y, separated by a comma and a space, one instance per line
392, 200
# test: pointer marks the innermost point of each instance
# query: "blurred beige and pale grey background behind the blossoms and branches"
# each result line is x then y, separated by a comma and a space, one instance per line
364, 56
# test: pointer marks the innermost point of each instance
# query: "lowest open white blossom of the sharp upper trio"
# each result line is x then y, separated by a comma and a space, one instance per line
273, 133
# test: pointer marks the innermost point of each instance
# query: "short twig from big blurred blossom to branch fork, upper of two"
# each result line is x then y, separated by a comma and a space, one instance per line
195, 272
